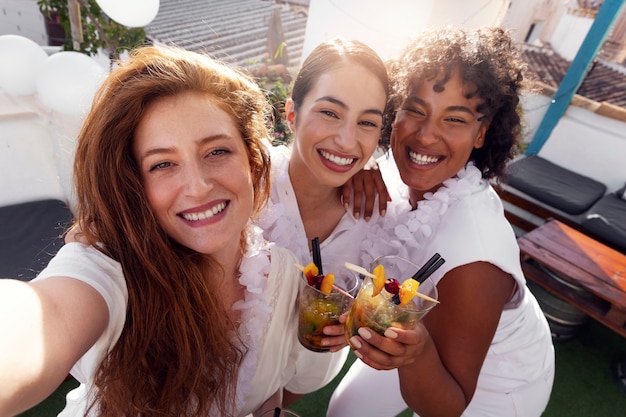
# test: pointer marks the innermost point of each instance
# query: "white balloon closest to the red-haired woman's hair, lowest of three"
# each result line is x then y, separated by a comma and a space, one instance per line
68, 81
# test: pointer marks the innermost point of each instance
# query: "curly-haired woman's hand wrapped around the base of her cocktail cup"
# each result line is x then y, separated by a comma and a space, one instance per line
396, 349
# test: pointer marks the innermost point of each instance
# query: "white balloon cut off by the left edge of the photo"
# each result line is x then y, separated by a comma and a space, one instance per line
20, 61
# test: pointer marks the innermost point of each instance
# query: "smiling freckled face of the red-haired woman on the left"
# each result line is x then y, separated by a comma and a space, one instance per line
196, 173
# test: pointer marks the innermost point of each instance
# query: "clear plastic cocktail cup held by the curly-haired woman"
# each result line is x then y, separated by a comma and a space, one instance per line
380, 312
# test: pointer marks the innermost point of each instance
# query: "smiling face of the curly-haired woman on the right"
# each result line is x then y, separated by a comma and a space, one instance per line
434, 133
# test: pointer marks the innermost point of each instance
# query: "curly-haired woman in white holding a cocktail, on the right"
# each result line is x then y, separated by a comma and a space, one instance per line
486, 349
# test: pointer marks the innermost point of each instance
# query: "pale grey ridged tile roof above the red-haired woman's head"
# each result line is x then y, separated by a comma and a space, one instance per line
234, 31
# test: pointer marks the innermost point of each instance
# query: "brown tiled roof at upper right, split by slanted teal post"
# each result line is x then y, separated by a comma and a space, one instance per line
603, 82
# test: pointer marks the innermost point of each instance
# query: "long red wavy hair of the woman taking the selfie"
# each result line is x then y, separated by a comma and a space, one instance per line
178, 354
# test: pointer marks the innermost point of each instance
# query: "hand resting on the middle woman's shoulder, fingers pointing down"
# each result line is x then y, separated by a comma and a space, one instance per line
367, 183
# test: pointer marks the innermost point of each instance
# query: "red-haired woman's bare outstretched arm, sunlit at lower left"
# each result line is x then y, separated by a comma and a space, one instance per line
46, 326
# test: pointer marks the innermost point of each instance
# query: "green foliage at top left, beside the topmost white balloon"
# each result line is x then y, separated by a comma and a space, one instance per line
99, 31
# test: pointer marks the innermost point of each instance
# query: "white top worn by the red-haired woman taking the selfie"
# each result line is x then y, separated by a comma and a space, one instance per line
268, 326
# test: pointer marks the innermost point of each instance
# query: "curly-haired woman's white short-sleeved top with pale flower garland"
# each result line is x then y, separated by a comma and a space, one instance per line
464, 222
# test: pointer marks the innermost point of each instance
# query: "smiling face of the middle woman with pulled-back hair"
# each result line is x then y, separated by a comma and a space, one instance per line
337, 126
